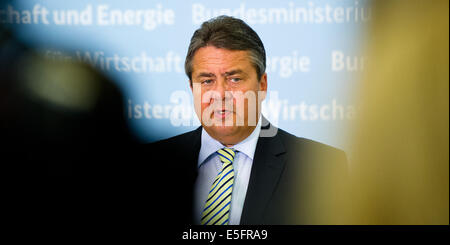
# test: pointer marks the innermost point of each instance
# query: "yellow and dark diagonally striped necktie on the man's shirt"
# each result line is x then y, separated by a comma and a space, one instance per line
217, 206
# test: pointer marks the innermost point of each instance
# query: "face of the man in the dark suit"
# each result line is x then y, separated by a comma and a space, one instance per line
227, 93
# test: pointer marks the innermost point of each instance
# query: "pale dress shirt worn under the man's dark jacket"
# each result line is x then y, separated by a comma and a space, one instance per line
209, 165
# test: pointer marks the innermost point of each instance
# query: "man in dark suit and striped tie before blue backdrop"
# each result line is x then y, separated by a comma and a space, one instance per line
237, 168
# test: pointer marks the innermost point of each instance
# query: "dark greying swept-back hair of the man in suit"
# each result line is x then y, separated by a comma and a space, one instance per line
228, 33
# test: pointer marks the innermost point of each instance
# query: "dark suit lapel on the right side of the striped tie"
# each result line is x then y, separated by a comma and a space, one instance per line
268, 164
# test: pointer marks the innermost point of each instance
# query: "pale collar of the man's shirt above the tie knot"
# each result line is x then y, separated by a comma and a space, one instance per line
209, 145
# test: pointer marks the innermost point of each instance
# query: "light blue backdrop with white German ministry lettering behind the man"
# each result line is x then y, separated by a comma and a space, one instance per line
313, 51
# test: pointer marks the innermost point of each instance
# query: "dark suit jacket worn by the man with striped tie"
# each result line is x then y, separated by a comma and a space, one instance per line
286, 173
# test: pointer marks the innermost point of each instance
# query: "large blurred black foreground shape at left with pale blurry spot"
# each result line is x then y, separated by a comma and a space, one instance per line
66, 141
